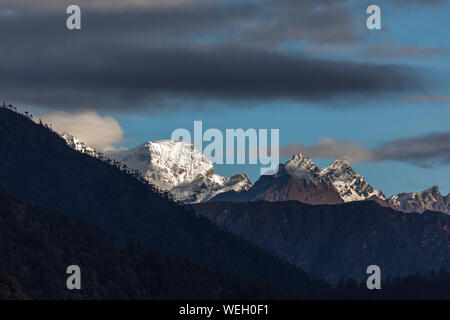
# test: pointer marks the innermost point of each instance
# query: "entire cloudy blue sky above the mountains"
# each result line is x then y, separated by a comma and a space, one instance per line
137, 70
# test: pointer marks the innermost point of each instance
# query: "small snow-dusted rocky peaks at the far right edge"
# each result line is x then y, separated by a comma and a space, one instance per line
430, 199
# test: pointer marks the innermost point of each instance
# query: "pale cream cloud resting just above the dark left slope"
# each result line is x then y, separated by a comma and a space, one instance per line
100, 133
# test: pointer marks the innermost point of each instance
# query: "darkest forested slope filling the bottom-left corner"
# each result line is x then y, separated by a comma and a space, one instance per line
37, 247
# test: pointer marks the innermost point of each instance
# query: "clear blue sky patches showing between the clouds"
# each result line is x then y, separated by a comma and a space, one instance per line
382, 120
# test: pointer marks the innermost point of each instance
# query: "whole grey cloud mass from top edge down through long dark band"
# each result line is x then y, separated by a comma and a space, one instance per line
157, 53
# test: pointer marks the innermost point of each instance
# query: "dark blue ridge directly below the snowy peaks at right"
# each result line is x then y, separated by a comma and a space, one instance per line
340, 241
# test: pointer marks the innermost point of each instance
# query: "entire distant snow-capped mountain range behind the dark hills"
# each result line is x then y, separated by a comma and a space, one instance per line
185, 173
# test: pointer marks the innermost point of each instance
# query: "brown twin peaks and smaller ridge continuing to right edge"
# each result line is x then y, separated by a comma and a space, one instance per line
300, 179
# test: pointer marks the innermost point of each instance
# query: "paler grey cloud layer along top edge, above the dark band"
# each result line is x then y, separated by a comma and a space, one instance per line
257, 22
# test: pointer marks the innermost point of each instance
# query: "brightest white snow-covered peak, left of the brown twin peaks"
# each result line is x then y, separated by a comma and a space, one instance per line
180, 169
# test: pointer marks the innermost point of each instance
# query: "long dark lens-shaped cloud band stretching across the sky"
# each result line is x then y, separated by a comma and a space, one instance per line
114, 77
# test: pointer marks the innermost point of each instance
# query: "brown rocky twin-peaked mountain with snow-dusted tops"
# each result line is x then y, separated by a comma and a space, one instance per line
300, 179
